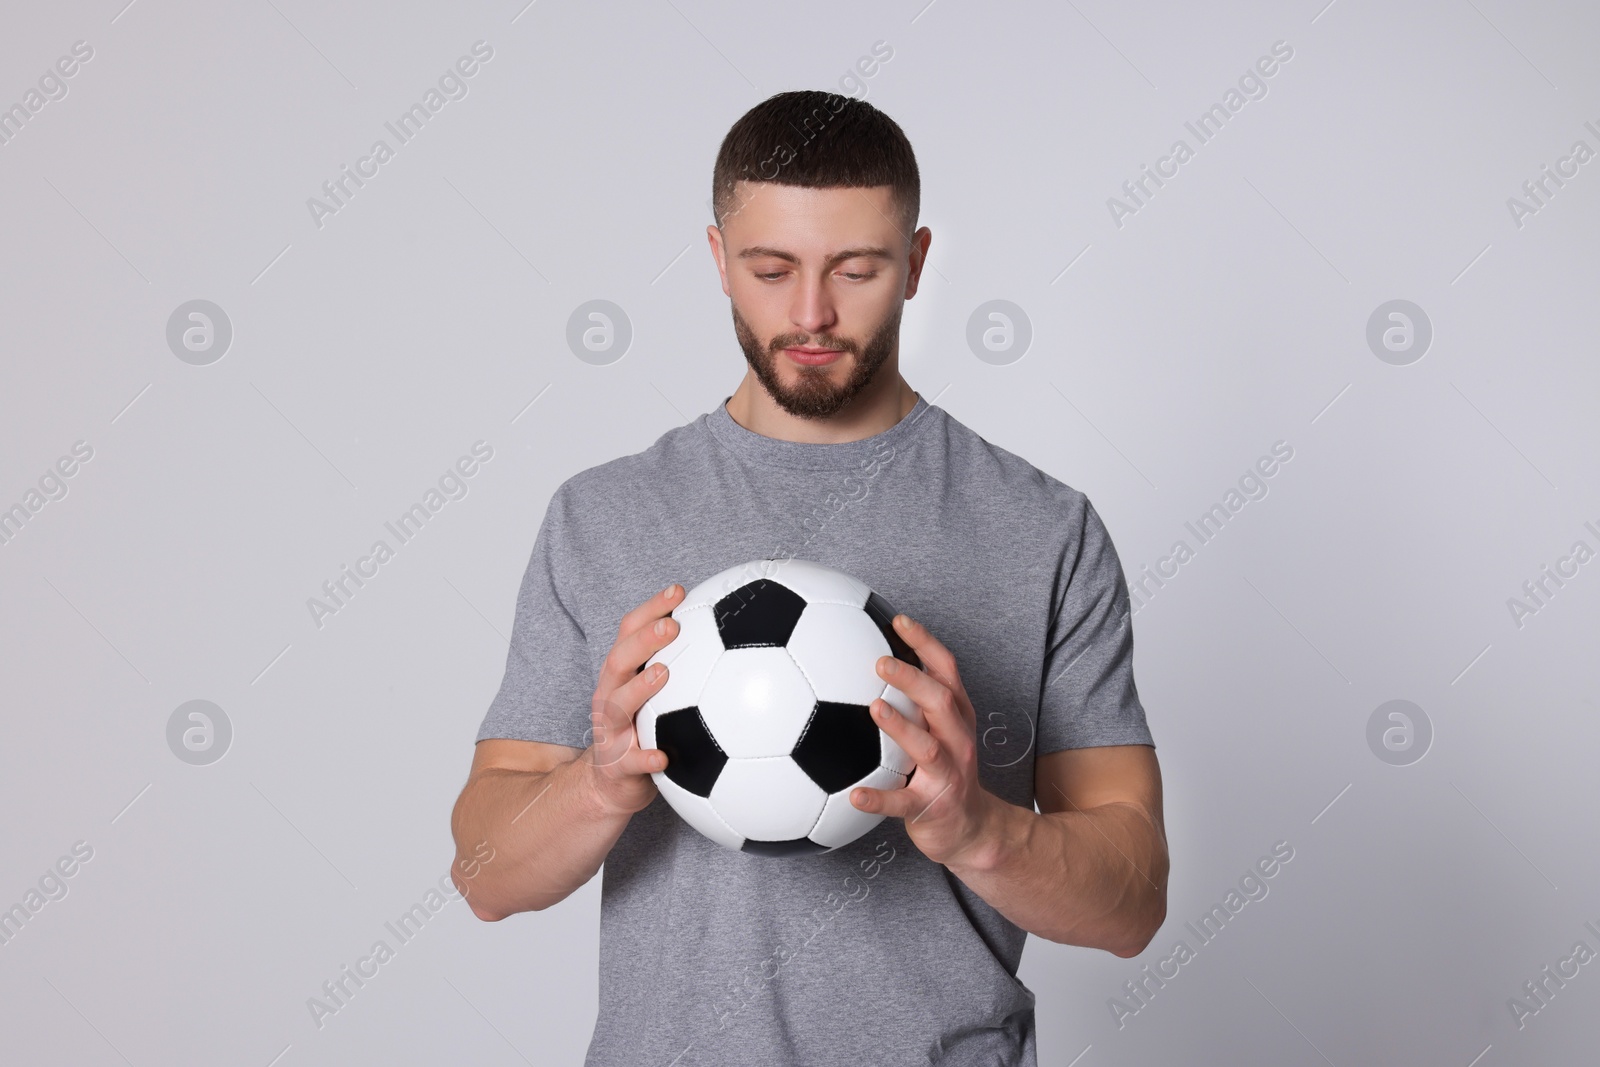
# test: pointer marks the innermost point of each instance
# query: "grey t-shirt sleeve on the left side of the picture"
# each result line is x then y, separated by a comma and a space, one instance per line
550, 679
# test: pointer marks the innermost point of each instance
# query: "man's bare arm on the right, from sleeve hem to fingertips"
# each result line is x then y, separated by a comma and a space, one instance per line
1089, 869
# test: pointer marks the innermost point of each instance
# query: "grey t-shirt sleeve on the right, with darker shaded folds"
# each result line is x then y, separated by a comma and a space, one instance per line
1089, 695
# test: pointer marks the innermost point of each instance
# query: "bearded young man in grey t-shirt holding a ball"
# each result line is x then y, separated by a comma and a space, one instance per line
902, 948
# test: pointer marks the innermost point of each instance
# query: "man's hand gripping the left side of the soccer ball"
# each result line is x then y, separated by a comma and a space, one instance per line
622, 769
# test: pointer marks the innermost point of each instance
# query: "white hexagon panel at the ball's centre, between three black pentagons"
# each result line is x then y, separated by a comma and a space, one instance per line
756, 703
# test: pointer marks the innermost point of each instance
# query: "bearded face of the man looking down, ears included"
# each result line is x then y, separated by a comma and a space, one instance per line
818, 279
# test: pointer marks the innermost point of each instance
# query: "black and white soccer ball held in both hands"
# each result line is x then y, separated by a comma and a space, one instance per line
766, 713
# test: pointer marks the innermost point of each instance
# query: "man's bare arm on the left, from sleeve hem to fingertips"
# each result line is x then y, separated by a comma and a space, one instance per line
535, 821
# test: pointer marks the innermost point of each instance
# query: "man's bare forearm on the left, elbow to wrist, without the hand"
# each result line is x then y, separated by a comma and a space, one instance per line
548, 834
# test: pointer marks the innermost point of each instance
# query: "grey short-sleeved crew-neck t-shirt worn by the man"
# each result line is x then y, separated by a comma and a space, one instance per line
870, 954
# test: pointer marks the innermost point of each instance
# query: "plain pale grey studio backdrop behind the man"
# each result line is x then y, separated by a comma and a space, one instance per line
1378, 258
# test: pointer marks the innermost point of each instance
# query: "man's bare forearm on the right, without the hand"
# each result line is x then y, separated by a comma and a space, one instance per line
1095, 879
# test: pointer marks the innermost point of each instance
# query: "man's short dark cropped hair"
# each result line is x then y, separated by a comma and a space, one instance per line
818, 142
